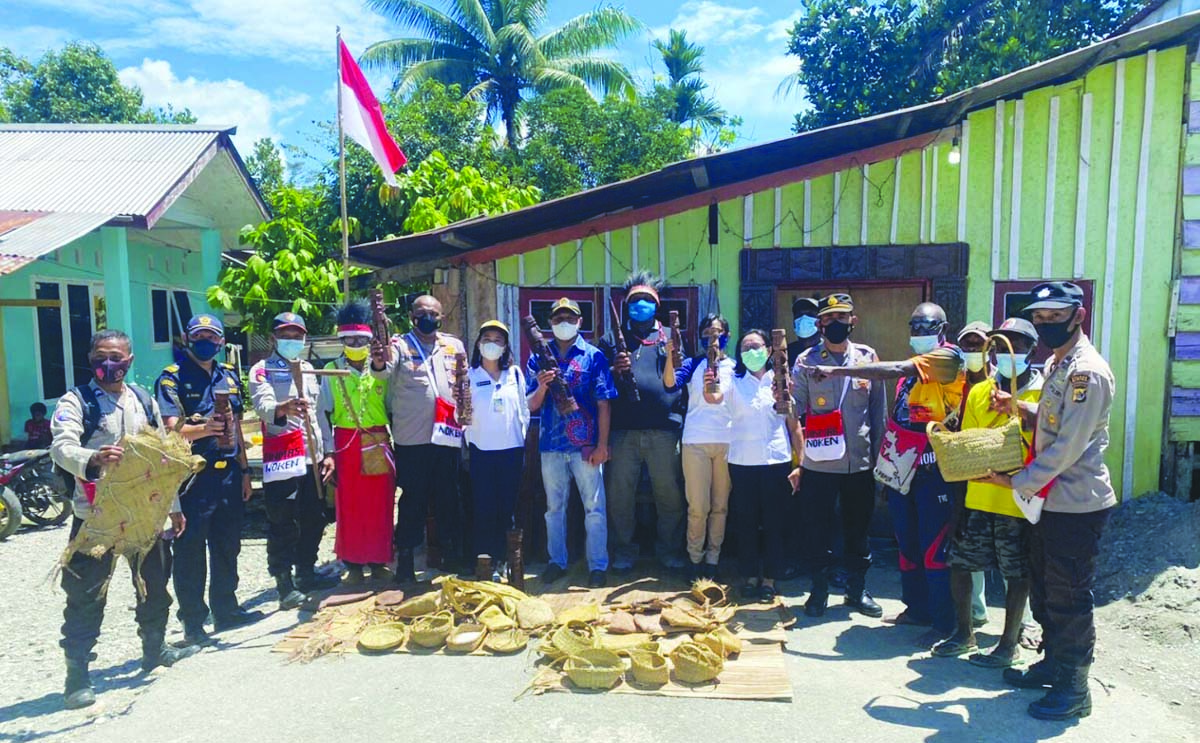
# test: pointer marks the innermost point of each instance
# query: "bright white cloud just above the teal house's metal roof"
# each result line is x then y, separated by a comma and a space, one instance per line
229, 103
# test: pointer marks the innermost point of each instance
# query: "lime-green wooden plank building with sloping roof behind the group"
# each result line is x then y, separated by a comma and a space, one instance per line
1085, 167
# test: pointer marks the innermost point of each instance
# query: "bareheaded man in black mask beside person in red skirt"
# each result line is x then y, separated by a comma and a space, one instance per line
421, 371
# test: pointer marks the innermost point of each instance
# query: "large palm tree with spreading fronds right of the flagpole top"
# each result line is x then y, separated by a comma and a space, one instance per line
493, 51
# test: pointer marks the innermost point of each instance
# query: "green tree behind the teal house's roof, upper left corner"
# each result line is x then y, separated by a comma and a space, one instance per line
76, 85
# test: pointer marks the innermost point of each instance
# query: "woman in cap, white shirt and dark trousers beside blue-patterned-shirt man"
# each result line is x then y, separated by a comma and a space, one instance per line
496, 436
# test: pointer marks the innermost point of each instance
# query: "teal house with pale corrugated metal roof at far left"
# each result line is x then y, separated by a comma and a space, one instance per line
109, 226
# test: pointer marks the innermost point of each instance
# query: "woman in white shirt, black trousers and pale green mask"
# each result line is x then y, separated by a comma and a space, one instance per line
761, 444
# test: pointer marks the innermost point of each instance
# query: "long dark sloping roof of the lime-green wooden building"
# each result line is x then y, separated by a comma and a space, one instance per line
680, 181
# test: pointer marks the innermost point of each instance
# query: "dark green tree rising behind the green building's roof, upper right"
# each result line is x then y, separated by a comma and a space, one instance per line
861, 58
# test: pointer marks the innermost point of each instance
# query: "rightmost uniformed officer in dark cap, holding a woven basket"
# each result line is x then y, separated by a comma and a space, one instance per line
1069, 475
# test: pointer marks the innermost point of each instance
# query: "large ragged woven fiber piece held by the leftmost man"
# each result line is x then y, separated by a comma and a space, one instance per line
135, 498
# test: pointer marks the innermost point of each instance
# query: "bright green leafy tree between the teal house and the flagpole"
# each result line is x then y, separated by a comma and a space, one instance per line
290, 269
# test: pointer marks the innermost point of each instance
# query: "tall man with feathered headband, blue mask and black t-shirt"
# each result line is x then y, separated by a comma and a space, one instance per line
644, 430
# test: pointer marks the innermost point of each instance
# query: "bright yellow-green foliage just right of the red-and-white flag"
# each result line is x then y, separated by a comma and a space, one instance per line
435, 195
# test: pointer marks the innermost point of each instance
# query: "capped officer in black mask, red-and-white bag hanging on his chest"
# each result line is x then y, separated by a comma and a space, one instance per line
844, 421
